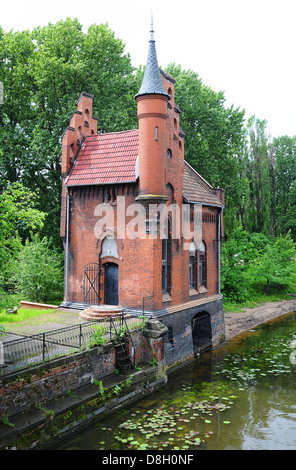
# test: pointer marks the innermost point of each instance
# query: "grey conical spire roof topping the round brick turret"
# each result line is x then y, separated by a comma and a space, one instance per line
152, 83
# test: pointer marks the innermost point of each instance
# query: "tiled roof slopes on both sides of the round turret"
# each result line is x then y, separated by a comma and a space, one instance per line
111, 158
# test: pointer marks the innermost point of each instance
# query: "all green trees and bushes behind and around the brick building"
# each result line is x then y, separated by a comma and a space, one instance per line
43, 72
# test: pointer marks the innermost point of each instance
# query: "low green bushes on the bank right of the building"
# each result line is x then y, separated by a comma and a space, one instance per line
253, 262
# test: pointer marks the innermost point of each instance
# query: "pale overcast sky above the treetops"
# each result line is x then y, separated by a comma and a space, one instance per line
245, 48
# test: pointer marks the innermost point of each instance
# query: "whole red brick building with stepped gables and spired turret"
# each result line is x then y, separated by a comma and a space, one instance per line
139, 224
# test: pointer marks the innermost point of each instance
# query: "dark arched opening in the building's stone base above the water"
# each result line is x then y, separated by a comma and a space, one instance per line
201, 332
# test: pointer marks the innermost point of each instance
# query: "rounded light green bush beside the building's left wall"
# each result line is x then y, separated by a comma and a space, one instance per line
38, 271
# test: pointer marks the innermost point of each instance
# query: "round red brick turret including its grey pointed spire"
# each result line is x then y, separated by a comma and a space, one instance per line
152, 100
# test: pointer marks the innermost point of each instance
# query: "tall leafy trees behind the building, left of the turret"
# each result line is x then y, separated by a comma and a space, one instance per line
44, 72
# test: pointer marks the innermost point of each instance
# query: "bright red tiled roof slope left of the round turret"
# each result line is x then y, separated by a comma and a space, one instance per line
106, 158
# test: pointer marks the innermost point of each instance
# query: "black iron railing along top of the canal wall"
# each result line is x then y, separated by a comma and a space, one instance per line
23, 352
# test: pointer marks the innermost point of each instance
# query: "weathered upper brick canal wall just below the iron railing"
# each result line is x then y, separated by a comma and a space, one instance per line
23, 390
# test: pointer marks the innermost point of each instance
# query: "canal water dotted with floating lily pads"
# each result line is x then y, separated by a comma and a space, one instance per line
241, 396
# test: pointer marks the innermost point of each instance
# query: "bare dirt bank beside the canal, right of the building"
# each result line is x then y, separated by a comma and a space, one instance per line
236, 323
